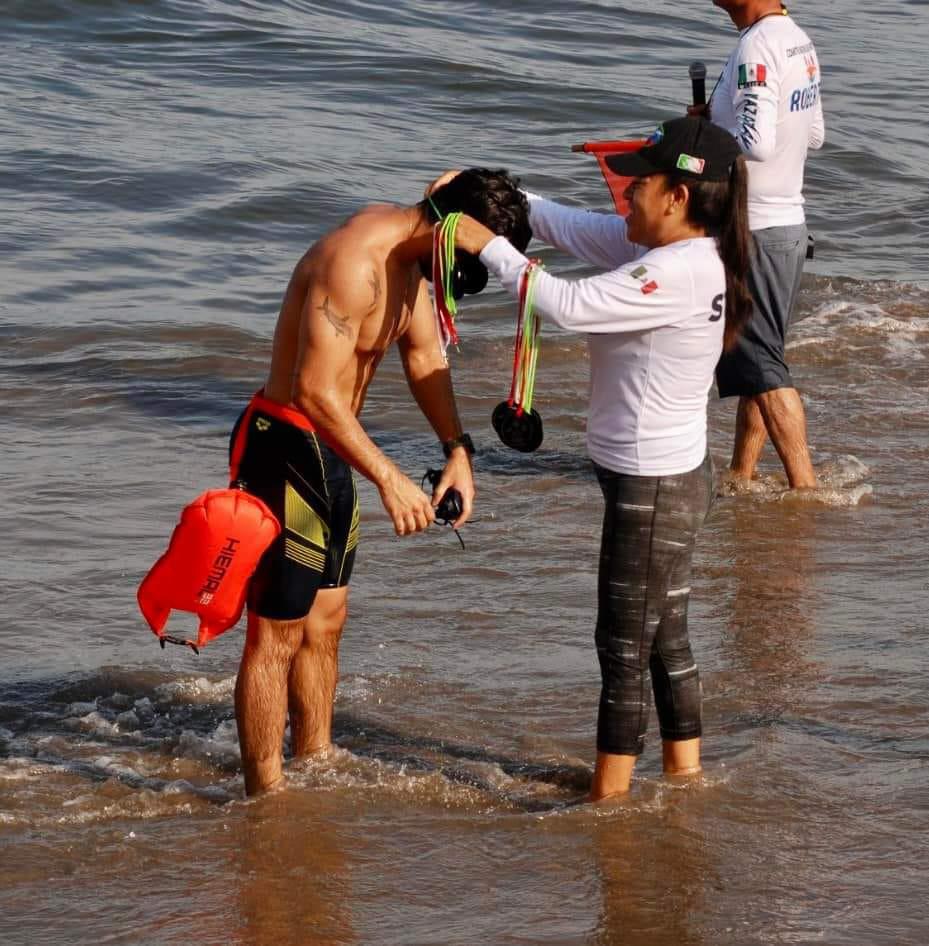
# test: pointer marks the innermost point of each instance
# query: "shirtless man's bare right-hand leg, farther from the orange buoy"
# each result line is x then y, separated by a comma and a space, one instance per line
314, 672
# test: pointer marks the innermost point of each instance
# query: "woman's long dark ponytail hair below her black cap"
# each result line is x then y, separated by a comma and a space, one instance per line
721, 208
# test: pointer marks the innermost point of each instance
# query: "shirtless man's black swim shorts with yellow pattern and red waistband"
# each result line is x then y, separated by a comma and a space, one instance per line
276, 455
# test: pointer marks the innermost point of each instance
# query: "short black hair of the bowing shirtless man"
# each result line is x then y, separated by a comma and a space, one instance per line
491, 197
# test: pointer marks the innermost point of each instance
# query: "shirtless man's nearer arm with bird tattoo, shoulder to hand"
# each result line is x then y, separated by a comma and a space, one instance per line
331, 318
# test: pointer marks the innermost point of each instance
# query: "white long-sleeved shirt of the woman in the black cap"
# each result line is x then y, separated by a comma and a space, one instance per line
655, 332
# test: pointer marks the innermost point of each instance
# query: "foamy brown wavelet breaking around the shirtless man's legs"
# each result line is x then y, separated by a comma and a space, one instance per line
173, 750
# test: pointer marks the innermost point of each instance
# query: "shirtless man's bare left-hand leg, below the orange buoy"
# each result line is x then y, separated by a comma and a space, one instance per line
261, 698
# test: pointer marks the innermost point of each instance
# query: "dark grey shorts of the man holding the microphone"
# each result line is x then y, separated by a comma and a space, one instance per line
757, 363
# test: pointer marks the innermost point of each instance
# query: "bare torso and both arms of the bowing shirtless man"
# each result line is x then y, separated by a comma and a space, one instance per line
353, 294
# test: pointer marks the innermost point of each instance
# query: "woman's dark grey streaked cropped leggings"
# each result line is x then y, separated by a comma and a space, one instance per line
650, 526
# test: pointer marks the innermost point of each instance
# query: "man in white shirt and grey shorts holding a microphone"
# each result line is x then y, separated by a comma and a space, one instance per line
768, 97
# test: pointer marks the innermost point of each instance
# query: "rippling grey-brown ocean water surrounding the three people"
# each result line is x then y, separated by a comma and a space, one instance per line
162, 166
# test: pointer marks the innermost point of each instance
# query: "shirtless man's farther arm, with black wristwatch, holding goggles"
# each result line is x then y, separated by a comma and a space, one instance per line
430, 381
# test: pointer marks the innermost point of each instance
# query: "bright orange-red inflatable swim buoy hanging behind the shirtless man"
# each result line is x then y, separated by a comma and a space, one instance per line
213, 552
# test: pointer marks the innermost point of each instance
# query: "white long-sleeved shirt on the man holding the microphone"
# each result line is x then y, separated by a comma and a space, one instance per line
768, 98
